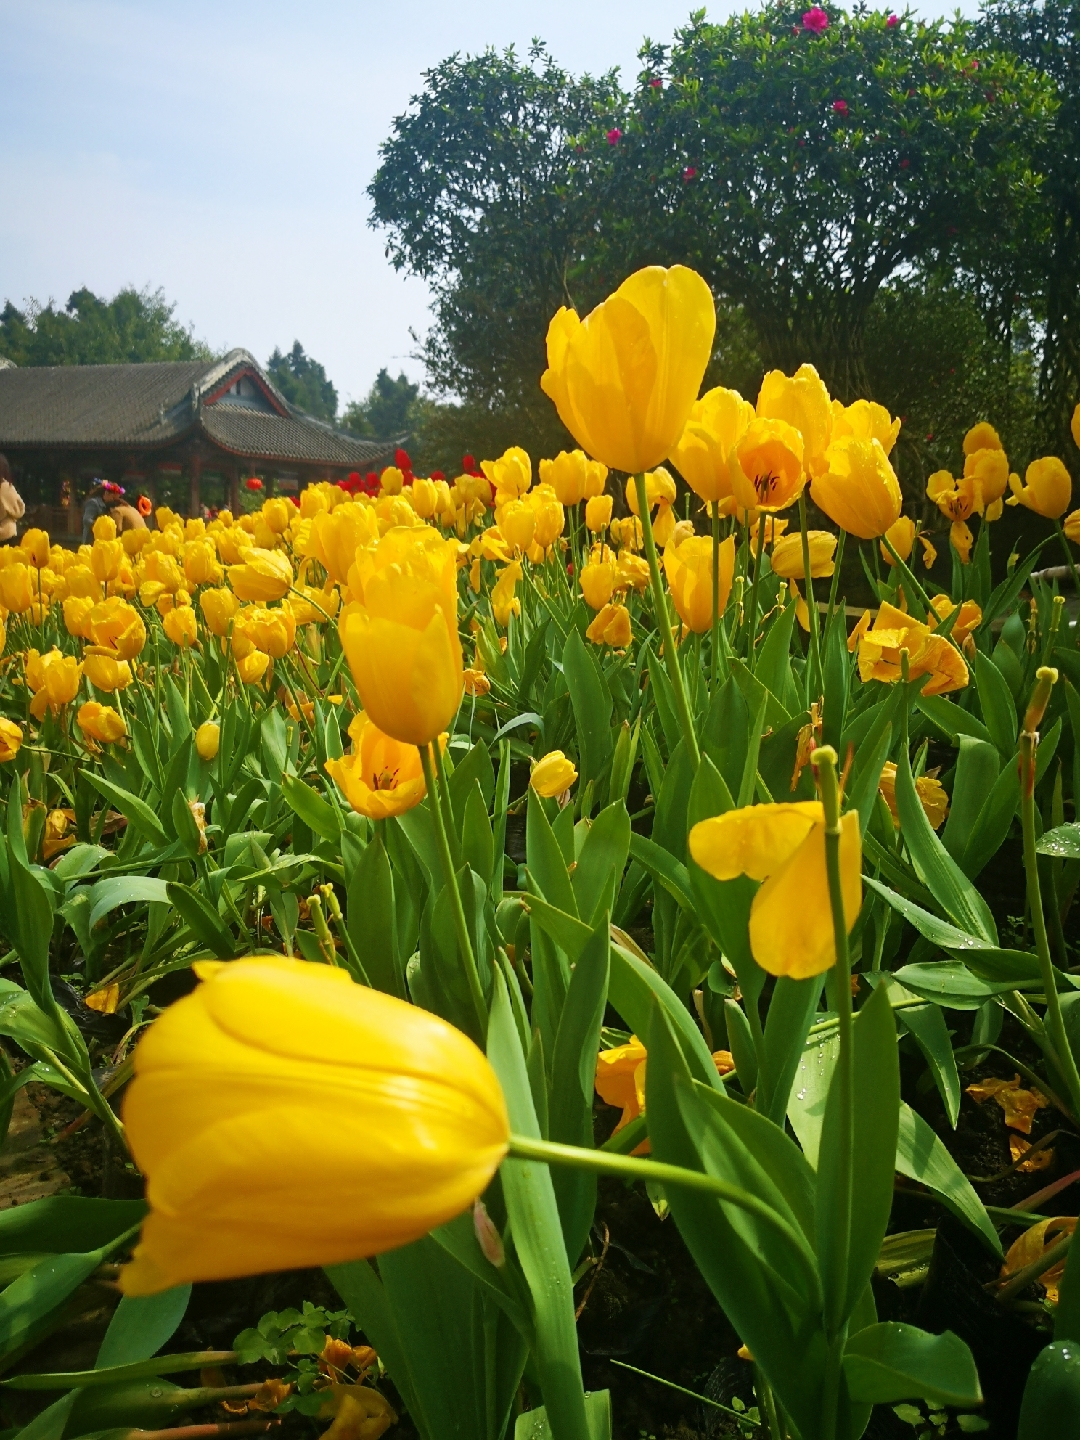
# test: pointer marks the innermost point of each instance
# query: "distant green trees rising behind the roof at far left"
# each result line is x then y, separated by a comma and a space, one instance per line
136, 326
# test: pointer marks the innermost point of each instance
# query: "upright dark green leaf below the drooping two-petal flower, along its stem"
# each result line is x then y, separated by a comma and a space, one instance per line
870, 1166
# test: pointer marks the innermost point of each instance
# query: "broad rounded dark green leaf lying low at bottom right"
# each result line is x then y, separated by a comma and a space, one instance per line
892, 1362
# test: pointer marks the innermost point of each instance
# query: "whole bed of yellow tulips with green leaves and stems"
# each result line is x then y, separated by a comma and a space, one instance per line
490, 889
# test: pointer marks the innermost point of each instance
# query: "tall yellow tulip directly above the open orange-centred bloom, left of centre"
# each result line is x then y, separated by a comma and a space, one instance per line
401, 637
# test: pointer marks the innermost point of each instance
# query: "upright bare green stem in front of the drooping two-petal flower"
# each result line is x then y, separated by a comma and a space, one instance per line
824, 762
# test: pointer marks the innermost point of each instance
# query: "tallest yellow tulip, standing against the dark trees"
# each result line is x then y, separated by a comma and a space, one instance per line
626, 378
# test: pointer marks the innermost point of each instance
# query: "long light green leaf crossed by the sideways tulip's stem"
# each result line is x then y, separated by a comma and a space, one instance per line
538, 1232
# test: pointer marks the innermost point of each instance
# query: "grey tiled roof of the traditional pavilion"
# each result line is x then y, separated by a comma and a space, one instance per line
156, 405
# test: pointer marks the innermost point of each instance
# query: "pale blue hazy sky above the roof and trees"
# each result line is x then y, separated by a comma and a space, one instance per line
222, 152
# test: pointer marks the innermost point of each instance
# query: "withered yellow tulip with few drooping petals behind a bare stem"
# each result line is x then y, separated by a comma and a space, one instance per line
784, 846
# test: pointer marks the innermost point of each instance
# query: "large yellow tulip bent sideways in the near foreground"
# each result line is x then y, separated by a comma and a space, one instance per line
235, 1075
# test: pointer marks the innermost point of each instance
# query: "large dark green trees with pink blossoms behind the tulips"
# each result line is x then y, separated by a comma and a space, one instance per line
895, 201
